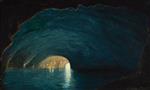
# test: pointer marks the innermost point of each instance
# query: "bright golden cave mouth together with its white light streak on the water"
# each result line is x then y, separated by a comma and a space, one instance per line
61, 63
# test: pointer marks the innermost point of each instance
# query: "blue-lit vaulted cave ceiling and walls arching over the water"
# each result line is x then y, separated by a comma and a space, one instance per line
95, 37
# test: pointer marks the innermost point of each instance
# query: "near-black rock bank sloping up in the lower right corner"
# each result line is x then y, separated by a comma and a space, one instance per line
137, 81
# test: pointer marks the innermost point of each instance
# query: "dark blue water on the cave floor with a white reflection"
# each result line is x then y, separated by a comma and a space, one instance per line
31, 79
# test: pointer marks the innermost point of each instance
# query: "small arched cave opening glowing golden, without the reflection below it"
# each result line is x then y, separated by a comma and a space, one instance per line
55, 62
